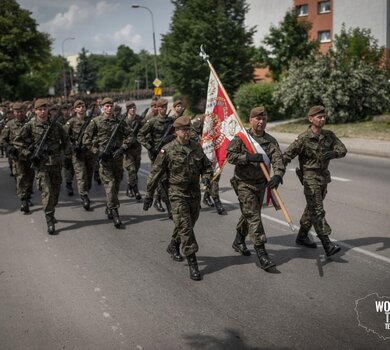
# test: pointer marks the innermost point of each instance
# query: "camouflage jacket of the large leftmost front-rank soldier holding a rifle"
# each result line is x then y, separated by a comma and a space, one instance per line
31, 135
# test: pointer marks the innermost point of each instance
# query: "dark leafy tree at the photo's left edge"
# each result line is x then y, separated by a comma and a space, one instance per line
22, 48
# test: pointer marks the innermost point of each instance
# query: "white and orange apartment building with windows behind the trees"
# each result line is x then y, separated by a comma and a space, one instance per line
326, 16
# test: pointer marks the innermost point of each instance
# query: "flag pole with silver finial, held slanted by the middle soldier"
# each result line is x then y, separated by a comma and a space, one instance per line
262, 165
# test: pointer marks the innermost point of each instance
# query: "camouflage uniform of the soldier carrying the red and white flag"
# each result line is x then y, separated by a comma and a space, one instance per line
249, 183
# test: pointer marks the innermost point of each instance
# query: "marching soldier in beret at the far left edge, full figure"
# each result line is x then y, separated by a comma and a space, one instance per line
23, 172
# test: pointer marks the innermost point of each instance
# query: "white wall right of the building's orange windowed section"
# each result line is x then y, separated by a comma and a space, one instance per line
369, 14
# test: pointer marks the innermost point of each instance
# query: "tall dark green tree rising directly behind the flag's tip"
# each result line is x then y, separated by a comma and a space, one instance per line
220, 26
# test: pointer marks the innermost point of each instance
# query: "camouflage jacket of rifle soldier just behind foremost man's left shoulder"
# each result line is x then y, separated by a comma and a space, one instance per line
153, 131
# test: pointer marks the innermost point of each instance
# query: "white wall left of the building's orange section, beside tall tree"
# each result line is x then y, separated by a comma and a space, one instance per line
263, 13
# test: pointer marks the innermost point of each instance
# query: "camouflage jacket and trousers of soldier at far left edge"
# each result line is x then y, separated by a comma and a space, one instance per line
21, 165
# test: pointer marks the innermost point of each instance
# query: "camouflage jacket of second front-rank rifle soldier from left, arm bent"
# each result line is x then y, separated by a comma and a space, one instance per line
99, 131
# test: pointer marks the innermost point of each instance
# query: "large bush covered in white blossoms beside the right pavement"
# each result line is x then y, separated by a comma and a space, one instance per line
351, 85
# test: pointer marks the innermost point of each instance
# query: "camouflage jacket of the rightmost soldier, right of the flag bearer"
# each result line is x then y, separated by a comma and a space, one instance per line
310, 149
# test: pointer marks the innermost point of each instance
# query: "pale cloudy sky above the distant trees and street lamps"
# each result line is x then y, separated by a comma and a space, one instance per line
100, 26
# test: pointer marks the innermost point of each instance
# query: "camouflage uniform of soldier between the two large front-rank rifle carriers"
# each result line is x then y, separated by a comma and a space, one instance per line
83, 161
